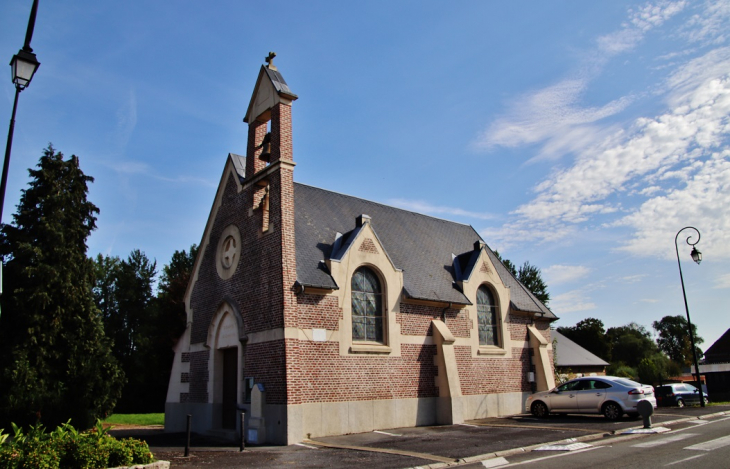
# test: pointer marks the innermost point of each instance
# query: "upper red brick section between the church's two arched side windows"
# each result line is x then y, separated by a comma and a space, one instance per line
416, 320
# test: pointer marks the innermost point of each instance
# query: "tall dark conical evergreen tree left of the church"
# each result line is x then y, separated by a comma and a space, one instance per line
54, 357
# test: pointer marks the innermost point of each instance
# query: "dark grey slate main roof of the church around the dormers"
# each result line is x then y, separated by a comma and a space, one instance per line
420, 245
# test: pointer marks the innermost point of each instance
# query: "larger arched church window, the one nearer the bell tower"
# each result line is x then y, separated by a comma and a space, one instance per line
367, 306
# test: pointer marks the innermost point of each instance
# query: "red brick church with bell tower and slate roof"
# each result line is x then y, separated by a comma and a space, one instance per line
320, 313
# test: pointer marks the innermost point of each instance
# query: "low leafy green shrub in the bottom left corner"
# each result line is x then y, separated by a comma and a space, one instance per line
66, 447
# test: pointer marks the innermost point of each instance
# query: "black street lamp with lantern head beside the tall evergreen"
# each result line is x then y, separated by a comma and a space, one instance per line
23, 66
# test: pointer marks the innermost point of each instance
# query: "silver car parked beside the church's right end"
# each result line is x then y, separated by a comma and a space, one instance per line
608, 395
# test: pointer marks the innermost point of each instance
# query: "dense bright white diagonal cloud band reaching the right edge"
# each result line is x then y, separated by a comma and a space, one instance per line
697, 124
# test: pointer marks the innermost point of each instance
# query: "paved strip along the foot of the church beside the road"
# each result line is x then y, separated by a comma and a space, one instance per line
438, 446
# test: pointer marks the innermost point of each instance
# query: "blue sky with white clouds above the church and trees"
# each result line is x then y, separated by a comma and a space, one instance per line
580, 136
